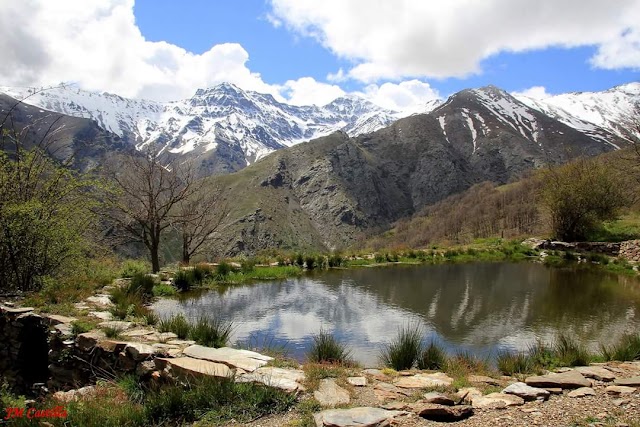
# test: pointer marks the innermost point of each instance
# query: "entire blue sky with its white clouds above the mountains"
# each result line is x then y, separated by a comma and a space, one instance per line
397, 53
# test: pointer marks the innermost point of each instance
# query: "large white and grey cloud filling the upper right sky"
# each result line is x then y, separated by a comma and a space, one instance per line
395, 39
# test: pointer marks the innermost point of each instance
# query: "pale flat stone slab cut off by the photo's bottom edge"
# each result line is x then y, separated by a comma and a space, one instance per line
361, 417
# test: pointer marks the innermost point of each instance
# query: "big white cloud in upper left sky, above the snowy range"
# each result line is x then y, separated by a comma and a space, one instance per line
97, 44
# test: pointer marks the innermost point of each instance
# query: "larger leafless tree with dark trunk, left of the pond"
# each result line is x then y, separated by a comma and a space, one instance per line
146, 197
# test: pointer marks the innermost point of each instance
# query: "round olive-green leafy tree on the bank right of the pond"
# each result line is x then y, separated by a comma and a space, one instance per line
582, 194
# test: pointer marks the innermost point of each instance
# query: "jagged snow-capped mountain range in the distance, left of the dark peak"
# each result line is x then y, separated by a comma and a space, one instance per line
248, 124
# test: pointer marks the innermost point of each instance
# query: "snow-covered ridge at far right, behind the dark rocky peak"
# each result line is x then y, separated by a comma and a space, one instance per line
616, 110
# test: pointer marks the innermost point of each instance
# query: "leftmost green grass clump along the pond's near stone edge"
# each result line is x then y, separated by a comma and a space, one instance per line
205, 331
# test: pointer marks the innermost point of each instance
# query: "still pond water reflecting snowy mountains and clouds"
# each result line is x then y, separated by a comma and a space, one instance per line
477, 307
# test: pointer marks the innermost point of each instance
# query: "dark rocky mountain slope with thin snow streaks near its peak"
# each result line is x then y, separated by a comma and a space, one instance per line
328, 192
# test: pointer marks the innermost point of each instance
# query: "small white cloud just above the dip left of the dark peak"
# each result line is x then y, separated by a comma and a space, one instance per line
405, 96
